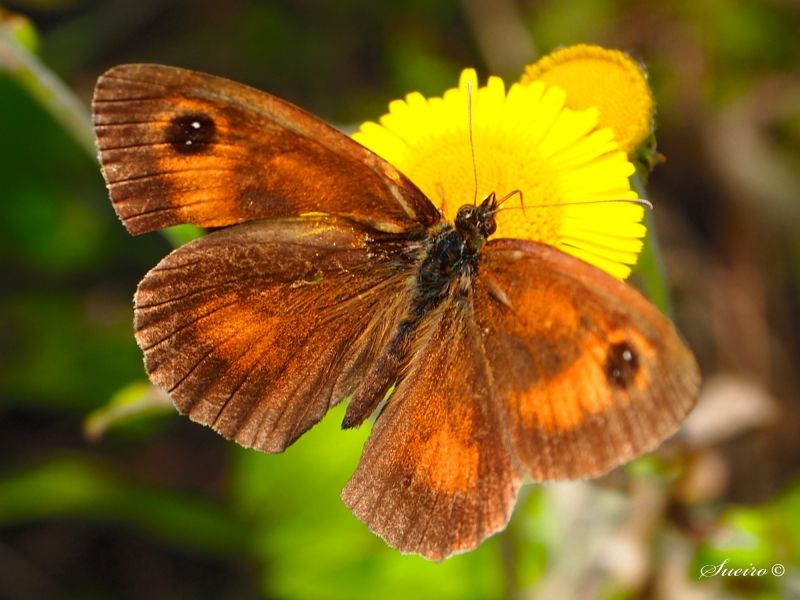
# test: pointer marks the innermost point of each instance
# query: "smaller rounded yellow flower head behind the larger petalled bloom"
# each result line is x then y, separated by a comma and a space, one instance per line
605, 79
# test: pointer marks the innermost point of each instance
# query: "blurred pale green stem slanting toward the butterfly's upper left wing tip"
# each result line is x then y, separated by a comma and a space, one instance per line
47, 89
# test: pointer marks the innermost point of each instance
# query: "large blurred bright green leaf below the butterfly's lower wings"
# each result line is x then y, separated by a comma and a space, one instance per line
311, 545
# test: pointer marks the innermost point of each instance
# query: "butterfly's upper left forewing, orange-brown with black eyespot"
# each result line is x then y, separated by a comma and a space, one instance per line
178, 146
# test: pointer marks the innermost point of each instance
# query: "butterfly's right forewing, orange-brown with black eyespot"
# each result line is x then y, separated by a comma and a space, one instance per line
588, 372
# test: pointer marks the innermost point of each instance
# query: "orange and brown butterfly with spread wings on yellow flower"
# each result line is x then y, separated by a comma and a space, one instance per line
330, 276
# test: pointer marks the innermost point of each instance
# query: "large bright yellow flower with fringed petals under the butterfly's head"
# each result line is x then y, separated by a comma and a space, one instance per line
526, 140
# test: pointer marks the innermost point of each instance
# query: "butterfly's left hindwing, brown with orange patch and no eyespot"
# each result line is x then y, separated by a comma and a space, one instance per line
258, 329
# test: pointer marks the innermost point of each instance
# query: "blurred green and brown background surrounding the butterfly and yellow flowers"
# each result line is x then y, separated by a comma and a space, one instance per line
158, 507
